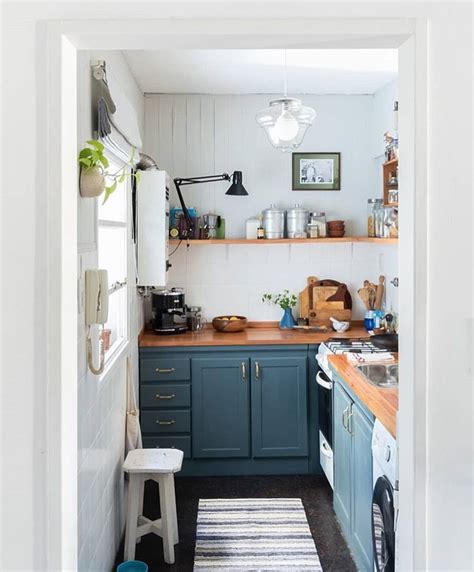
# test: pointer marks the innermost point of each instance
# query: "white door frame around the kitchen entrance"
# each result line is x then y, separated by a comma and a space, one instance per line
60, 178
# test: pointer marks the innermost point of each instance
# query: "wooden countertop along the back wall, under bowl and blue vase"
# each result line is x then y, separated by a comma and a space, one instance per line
253, 336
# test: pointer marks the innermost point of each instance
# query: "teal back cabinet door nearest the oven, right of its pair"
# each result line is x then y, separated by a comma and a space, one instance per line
279, 407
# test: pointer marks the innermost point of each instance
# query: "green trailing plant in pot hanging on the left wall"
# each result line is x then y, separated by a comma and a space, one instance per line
94, 171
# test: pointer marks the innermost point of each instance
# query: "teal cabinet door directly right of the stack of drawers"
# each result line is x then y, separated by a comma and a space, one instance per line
220, 407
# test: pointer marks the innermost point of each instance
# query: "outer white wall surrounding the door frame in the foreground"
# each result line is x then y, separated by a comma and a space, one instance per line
448, 486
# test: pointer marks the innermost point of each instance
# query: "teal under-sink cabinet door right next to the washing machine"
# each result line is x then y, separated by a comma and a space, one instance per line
361, 429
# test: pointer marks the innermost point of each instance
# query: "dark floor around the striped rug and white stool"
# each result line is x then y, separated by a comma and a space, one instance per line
312, 489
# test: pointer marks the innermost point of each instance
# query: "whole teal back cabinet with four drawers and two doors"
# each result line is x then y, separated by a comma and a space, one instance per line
233, 410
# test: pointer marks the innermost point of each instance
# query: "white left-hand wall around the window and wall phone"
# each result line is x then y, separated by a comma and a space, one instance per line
101, 399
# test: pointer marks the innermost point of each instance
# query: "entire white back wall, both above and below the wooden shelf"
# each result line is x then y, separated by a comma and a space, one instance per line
204, 134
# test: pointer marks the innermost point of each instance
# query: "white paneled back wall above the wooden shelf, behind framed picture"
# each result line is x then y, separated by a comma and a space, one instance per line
194, 135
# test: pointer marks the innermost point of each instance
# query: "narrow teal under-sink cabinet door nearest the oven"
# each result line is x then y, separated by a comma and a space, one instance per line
342, 404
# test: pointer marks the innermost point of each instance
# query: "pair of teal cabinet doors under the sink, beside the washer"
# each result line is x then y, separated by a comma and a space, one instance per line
353, 474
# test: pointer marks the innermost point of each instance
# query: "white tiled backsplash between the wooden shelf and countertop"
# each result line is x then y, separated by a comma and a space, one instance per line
230, 279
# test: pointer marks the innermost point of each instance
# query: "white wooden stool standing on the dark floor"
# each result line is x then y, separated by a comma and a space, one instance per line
158, 465
